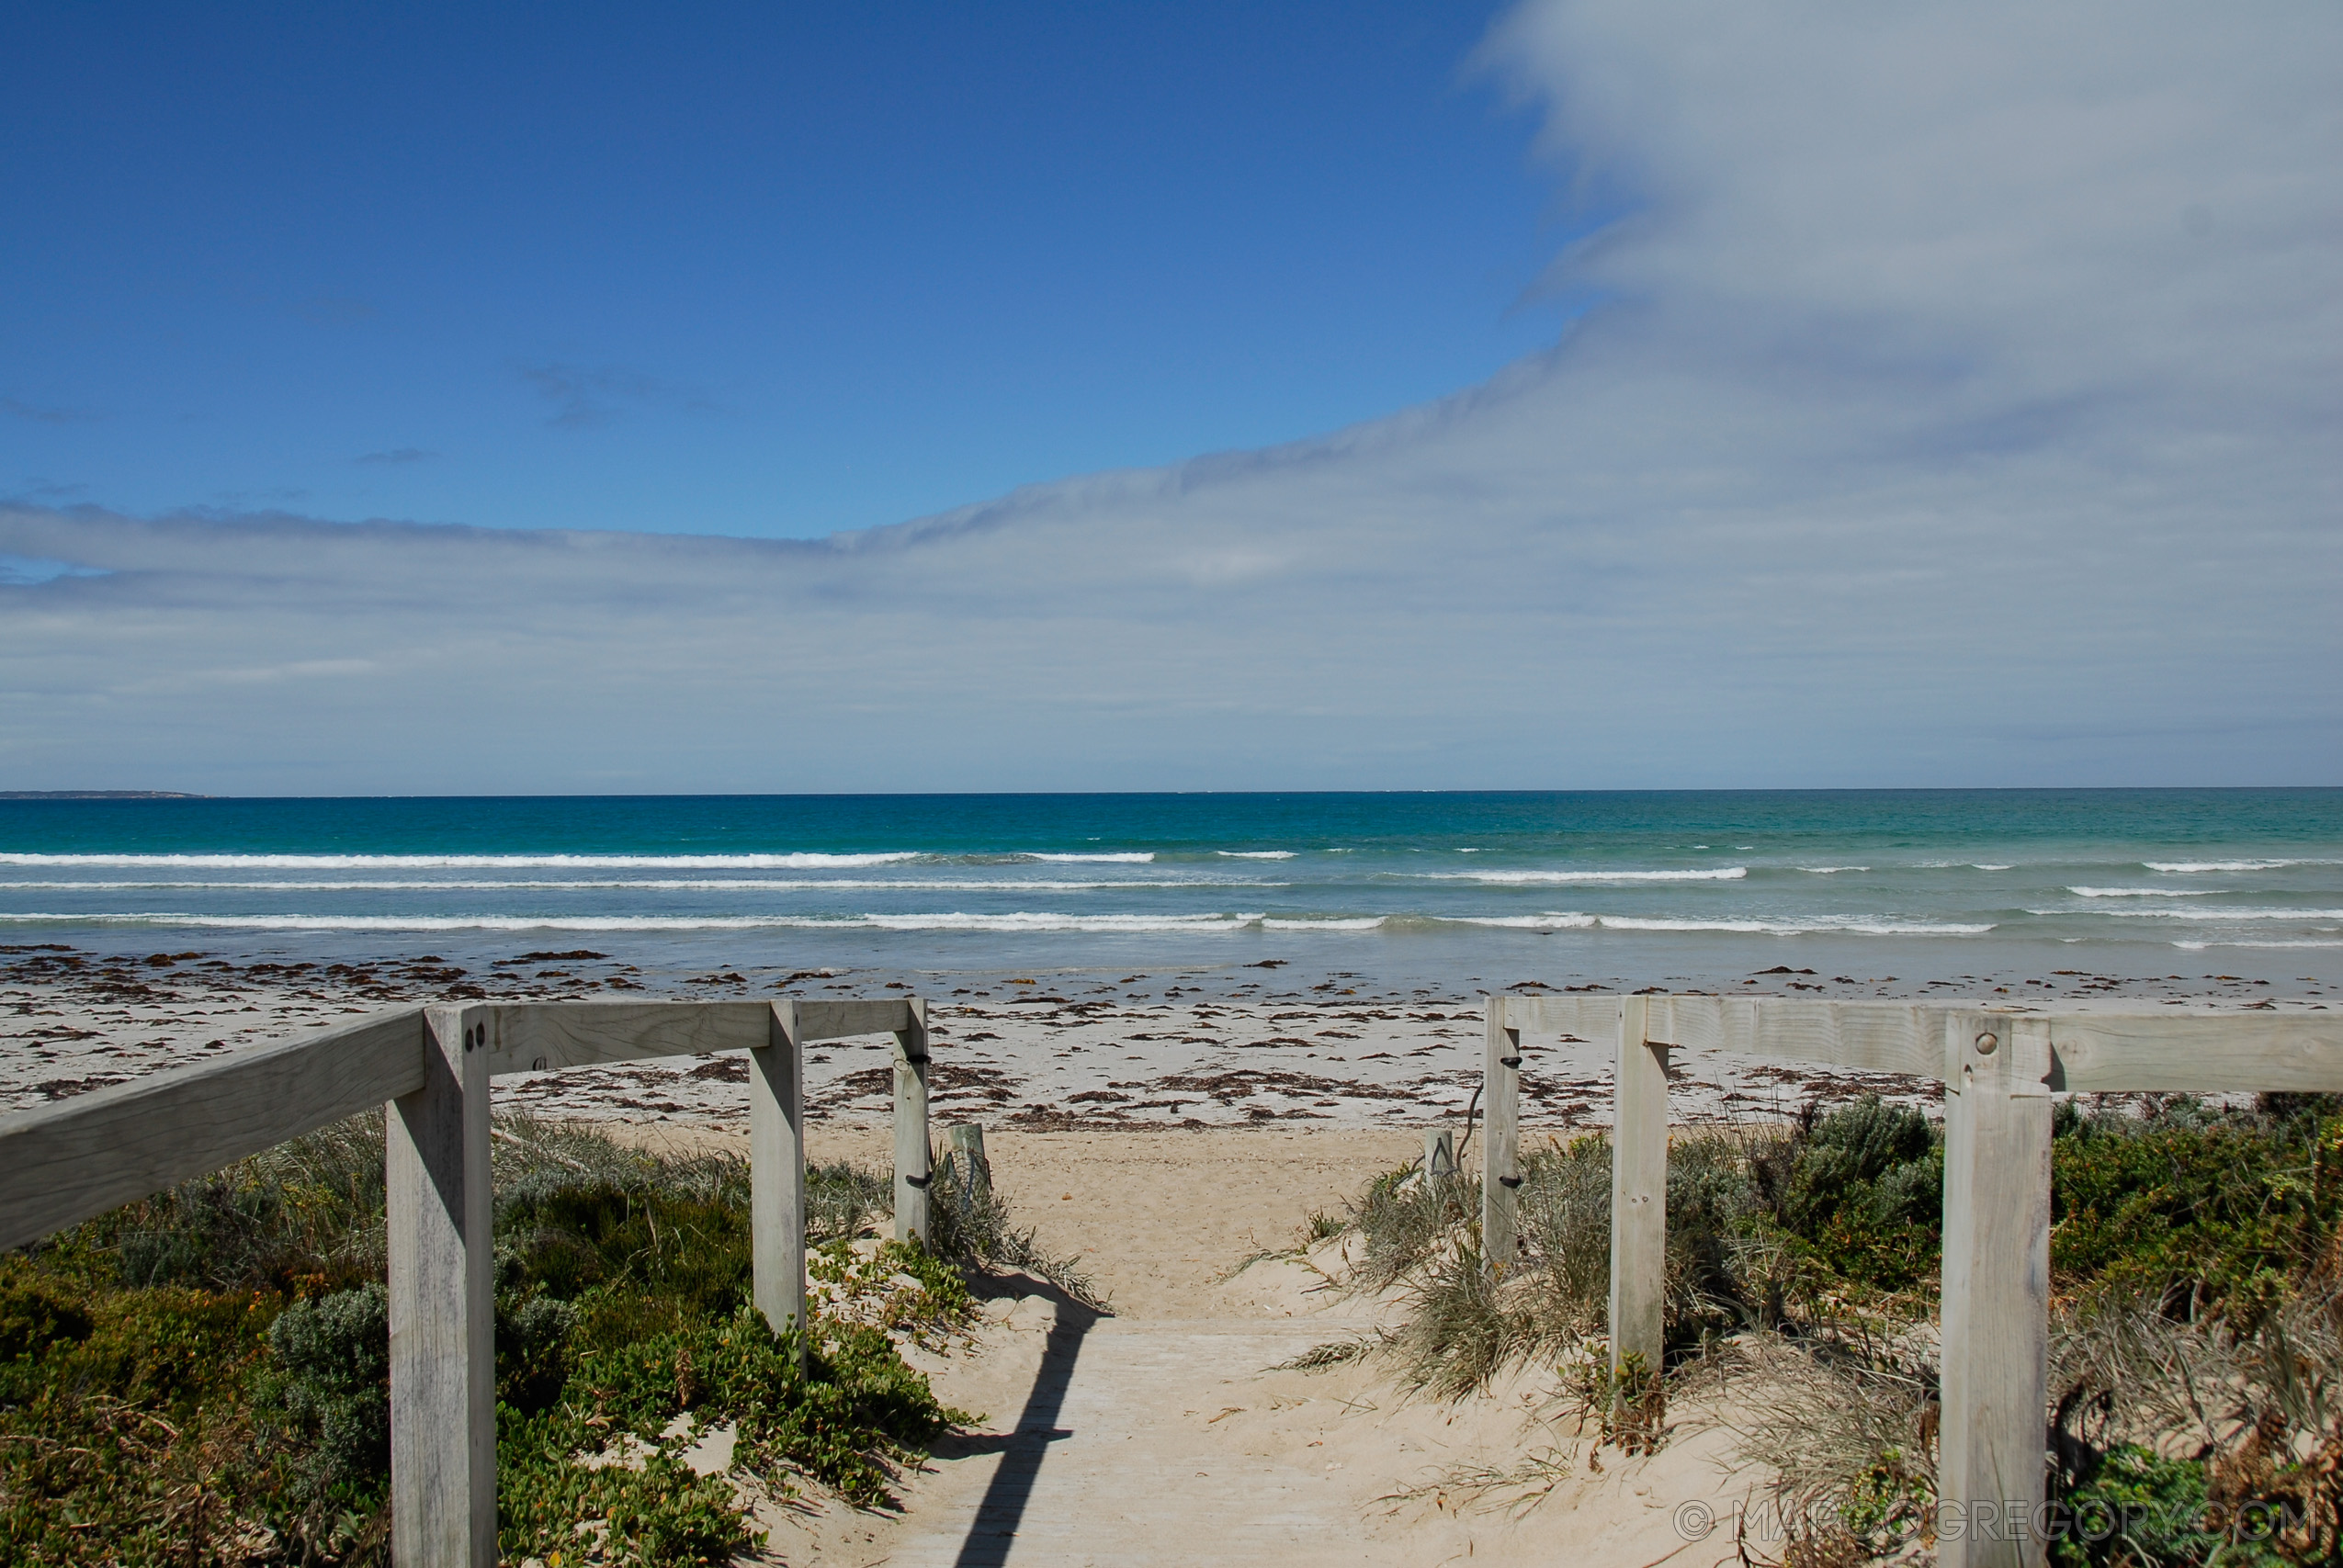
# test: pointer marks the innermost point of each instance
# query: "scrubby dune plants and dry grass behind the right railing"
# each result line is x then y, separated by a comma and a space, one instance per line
2197, 1314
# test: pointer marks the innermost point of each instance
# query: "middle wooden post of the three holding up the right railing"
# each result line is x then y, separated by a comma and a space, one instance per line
1639, 1192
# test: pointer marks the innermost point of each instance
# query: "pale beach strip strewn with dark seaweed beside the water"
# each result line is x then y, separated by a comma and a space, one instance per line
1046, 1051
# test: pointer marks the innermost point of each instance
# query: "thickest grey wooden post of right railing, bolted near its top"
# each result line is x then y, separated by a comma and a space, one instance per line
1997, 1293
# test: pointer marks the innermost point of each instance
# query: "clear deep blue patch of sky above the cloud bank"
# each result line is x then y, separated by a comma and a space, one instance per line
751, 271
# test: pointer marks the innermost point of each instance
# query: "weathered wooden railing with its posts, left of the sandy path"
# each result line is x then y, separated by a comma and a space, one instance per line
432, 1068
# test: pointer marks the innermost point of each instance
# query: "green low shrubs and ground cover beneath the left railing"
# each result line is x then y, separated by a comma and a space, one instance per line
205, 1377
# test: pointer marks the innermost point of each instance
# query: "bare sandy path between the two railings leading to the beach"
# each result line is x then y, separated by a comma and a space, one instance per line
1163, 1436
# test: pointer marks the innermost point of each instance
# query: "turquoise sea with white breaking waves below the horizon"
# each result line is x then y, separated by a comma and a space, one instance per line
1653, 887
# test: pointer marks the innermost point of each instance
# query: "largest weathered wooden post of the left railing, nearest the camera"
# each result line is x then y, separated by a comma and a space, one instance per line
444, 1309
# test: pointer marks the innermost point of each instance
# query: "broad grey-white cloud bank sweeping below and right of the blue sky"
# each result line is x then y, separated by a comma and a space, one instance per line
1962, 411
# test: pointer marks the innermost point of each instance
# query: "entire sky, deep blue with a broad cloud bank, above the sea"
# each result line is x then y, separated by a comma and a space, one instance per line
1587, 395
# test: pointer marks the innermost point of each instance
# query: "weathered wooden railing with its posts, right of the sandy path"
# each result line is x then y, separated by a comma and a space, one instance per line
2000, 1070
